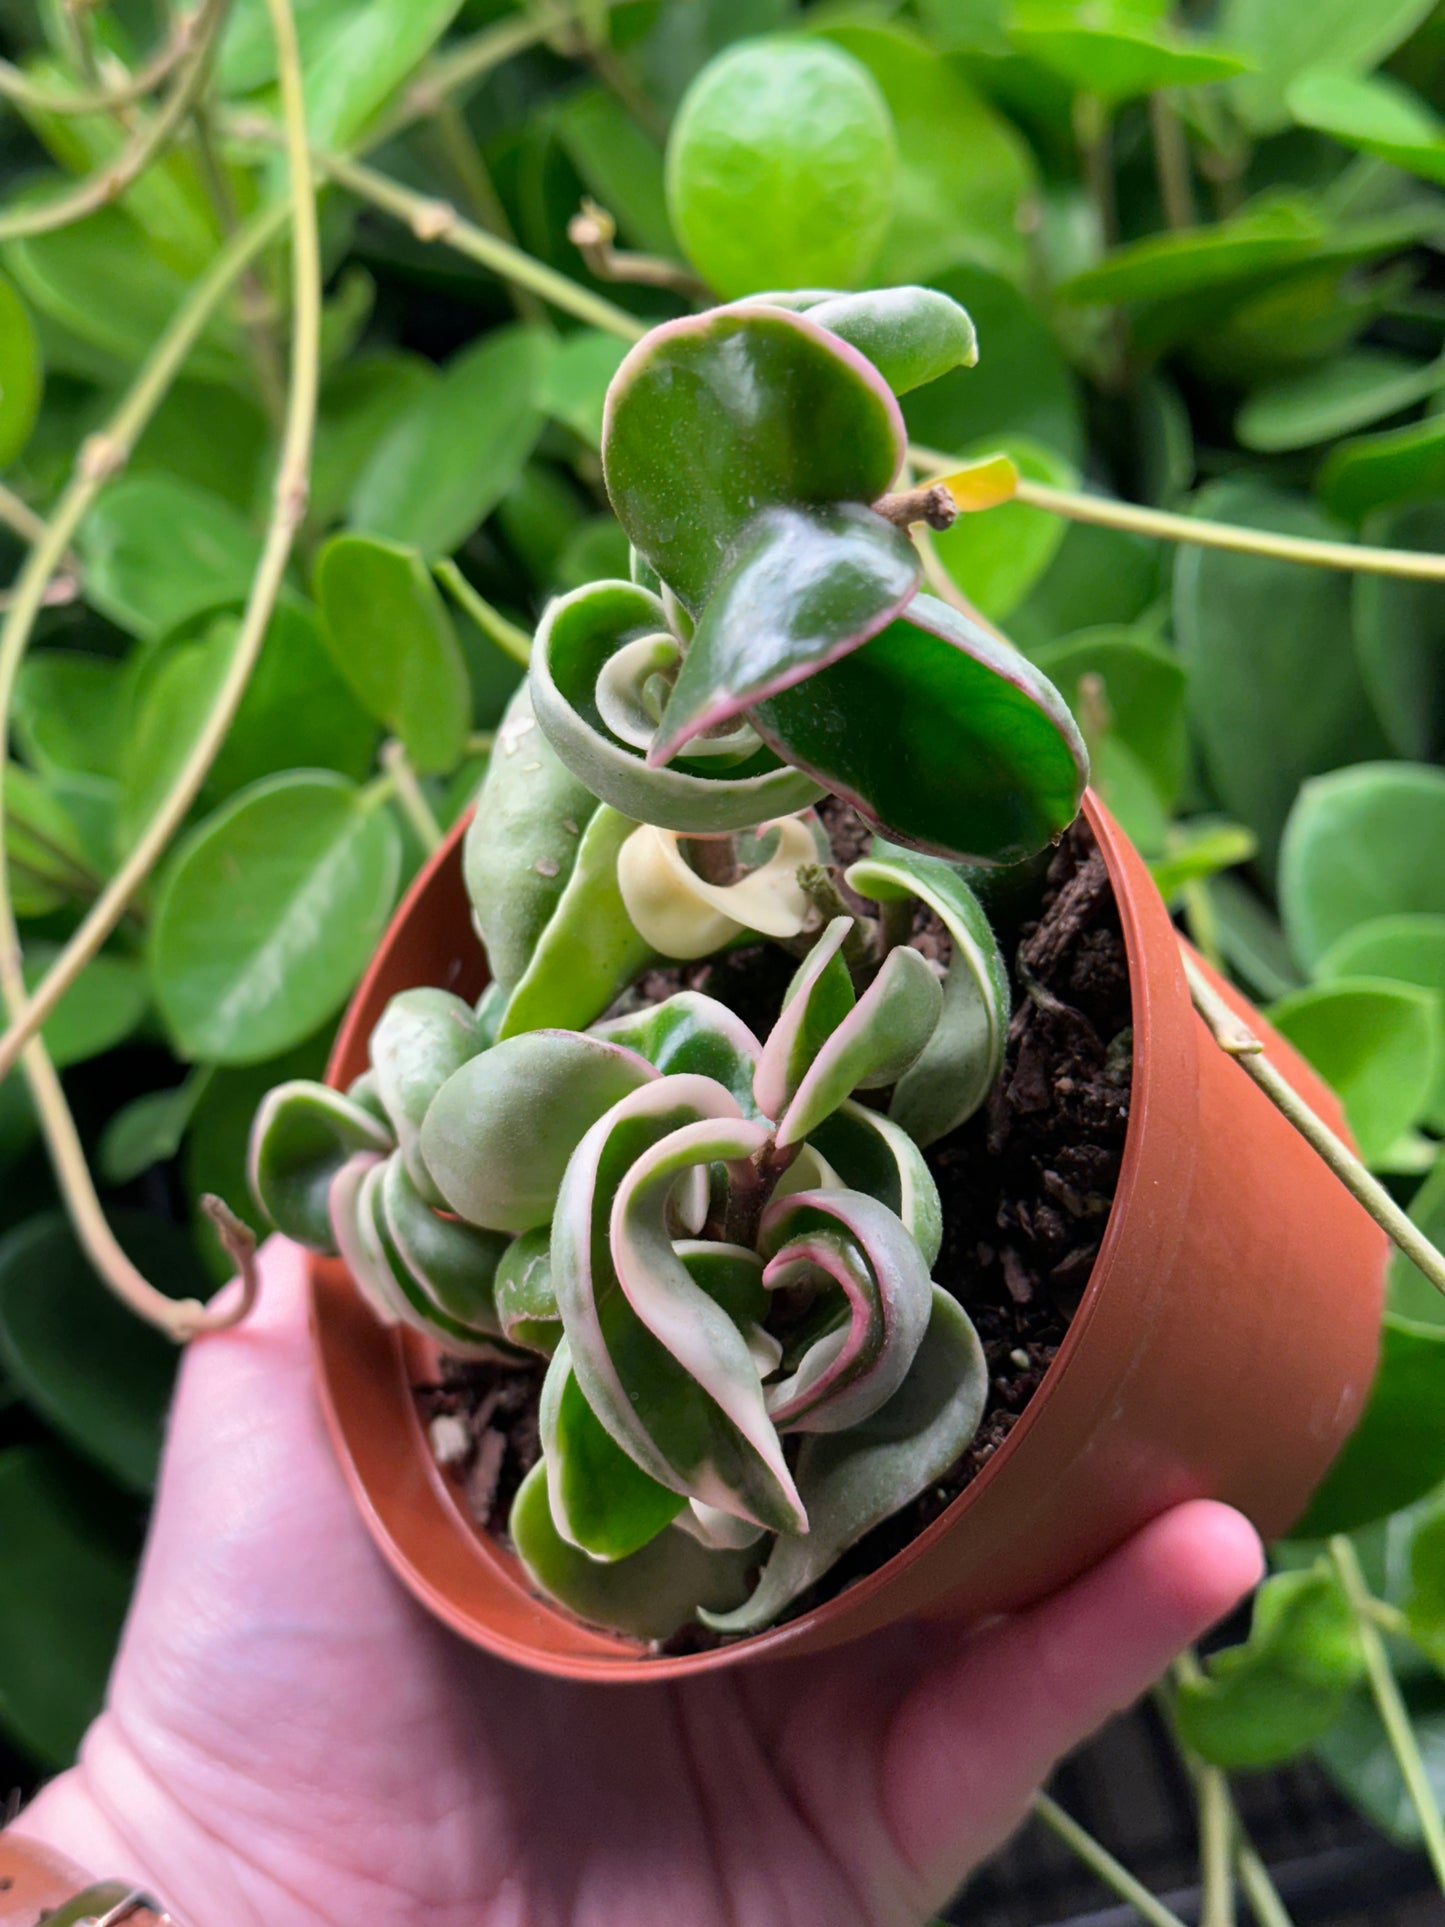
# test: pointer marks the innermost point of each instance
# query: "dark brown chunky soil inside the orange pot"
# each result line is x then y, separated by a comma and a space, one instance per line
1026, 1192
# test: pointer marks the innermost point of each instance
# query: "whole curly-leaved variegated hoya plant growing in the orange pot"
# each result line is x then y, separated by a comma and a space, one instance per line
722, 1244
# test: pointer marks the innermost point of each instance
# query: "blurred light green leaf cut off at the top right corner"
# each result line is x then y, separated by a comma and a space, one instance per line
1286, 40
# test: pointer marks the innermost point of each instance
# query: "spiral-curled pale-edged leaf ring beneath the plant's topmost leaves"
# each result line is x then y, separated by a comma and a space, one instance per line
596, 662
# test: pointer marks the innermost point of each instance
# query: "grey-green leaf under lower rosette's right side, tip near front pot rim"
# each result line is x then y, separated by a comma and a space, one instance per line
854, 1481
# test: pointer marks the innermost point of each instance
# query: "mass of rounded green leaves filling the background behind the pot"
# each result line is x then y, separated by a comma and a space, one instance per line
1203, 259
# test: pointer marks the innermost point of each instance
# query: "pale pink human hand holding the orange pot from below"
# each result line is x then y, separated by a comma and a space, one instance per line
292, 1739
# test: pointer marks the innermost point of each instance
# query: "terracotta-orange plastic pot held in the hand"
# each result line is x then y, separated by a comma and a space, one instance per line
1224, 1346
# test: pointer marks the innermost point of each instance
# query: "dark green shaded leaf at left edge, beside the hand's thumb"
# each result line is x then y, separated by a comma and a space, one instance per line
86, 1363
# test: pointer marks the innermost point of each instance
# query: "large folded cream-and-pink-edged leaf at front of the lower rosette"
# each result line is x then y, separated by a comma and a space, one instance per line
629, 1356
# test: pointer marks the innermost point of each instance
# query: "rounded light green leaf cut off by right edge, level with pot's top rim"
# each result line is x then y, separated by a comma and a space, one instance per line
1361, 843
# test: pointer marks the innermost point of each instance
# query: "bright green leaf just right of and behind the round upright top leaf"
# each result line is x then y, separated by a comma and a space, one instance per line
964, 172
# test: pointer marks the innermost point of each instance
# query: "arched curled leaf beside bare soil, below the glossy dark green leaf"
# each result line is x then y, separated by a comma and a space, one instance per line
960, 1063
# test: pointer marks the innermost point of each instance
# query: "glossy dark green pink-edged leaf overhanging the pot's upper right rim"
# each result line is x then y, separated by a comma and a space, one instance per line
995, 764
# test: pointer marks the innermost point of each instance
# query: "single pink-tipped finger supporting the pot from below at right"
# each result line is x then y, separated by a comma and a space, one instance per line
982, 1731
